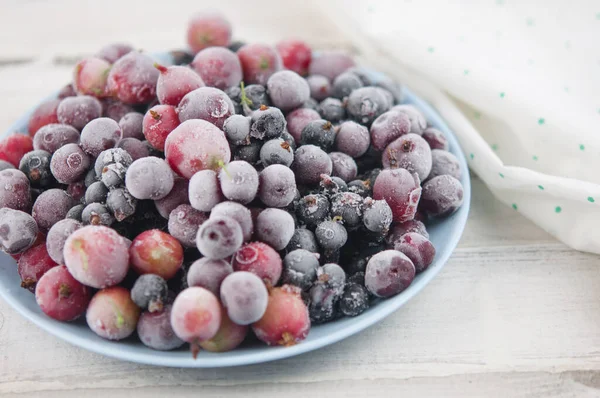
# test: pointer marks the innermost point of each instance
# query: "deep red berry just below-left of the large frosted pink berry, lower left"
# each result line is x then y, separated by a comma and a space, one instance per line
60, 296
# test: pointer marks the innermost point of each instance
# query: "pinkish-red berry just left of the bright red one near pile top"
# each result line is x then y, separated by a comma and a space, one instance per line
259, 62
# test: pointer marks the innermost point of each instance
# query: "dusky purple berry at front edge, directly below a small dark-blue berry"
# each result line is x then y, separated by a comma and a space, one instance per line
155, 331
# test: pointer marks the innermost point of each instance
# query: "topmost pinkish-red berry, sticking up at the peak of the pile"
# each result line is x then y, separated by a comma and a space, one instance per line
208, 30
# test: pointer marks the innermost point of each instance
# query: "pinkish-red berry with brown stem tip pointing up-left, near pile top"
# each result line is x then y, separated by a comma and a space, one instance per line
175, 82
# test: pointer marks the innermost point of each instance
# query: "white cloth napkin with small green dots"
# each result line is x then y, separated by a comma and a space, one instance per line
519, 84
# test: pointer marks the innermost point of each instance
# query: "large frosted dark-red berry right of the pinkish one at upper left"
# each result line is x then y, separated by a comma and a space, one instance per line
132, 79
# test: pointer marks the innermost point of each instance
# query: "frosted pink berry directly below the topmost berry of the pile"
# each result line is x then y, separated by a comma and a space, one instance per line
219, 67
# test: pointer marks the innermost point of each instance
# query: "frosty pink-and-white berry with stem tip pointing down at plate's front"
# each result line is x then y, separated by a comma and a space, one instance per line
196, 315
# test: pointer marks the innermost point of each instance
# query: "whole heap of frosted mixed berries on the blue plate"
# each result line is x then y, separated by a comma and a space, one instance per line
244, 188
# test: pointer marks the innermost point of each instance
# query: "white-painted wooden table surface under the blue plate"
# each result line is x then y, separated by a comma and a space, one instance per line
513, 314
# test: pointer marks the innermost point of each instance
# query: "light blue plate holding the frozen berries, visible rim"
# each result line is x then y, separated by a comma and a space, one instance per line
444, 234
